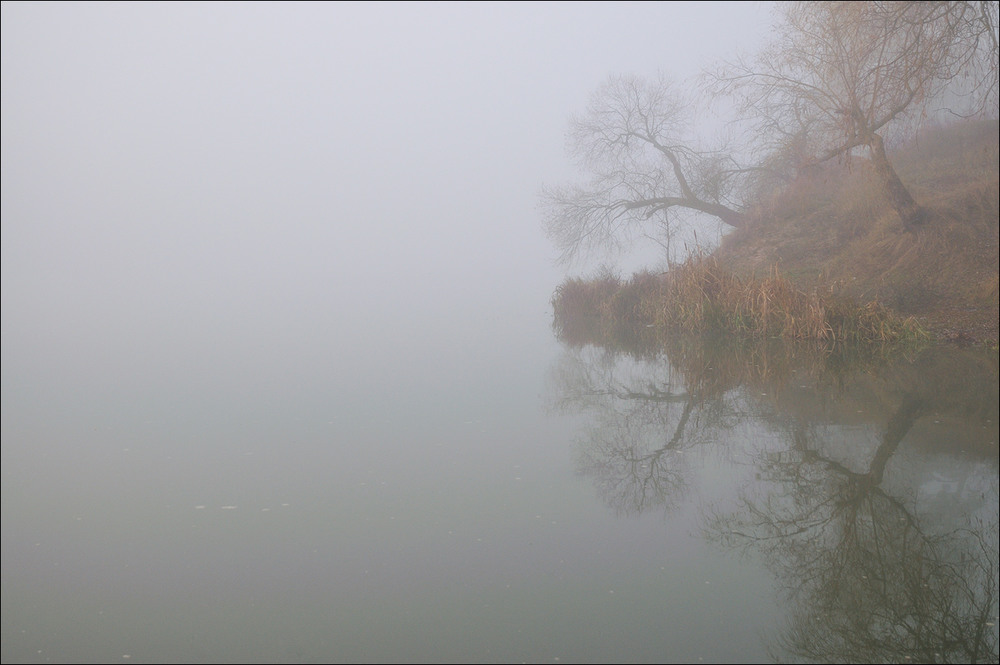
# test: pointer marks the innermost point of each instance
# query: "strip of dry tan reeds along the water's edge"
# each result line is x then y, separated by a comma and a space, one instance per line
701, 297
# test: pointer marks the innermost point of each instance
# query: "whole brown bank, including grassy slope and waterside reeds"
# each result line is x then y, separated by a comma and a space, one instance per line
827, 258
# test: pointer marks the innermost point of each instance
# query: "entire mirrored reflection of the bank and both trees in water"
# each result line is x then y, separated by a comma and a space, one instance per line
869, 483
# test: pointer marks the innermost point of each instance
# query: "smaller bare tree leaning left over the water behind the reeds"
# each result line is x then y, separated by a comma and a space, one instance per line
636, 140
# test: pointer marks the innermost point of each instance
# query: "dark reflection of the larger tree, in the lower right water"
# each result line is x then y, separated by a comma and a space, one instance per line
870, 577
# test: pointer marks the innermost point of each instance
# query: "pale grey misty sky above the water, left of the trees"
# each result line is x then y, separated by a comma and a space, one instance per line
243, 164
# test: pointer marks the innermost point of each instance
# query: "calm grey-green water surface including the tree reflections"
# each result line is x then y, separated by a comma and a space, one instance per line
489, 494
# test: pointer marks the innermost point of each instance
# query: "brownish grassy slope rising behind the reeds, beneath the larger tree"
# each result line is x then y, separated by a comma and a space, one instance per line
832, 230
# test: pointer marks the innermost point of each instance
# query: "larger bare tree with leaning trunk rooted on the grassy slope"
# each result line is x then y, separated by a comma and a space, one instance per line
842, 74
